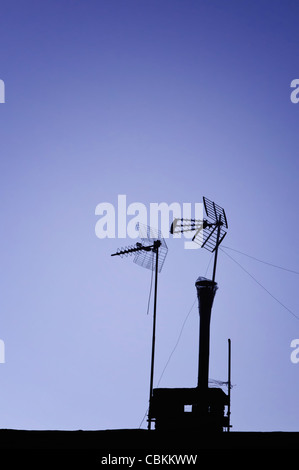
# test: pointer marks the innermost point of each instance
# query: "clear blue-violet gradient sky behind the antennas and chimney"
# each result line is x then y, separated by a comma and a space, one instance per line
163, 101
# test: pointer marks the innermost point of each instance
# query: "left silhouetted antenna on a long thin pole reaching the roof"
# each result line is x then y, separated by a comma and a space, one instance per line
150, 254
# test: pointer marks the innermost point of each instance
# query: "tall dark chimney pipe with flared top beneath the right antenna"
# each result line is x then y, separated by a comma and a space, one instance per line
206, 290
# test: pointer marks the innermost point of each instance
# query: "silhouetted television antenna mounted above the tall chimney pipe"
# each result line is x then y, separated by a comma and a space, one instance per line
208, 233
